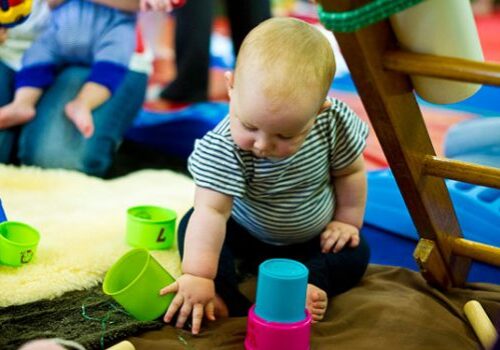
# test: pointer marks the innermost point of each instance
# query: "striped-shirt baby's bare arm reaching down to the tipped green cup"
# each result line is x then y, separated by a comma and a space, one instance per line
204, 237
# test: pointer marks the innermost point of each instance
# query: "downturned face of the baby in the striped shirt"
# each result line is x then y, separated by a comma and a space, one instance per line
270, 129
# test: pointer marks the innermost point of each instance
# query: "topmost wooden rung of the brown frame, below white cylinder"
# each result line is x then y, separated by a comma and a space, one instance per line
443, 67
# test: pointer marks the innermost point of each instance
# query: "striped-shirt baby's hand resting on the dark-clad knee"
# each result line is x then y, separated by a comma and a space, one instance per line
336, 235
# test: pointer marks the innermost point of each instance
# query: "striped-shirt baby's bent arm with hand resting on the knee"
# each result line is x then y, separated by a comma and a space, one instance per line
350, 199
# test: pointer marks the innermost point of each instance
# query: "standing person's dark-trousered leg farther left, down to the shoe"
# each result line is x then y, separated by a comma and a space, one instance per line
192, 50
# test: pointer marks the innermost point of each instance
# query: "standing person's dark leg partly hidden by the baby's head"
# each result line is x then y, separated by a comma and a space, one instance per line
244, 15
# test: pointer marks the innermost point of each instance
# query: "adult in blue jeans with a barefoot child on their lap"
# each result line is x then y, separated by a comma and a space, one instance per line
49, 138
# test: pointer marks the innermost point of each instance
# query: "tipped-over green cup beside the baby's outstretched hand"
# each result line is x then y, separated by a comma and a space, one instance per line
135, 280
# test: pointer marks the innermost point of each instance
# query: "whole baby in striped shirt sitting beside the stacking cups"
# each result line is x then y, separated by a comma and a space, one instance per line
281, 176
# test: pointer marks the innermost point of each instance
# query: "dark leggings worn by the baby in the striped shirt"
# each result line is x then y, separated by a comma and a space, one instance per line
333, 272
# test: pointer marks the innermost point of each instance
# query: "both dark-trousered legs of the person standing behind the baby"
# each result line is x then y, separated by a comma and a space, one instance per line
192, 43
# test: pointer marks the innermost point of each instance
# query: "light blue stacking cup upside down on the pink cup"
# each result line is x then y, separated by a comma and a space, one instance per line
281, 291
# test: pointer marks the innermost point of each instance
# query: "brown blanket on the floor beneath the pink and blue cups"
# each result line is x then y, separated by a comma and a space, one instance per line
392, 308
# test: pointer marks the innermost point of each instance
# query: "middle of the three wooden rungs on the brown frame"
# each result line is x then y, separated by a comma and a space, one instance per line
462, 171
